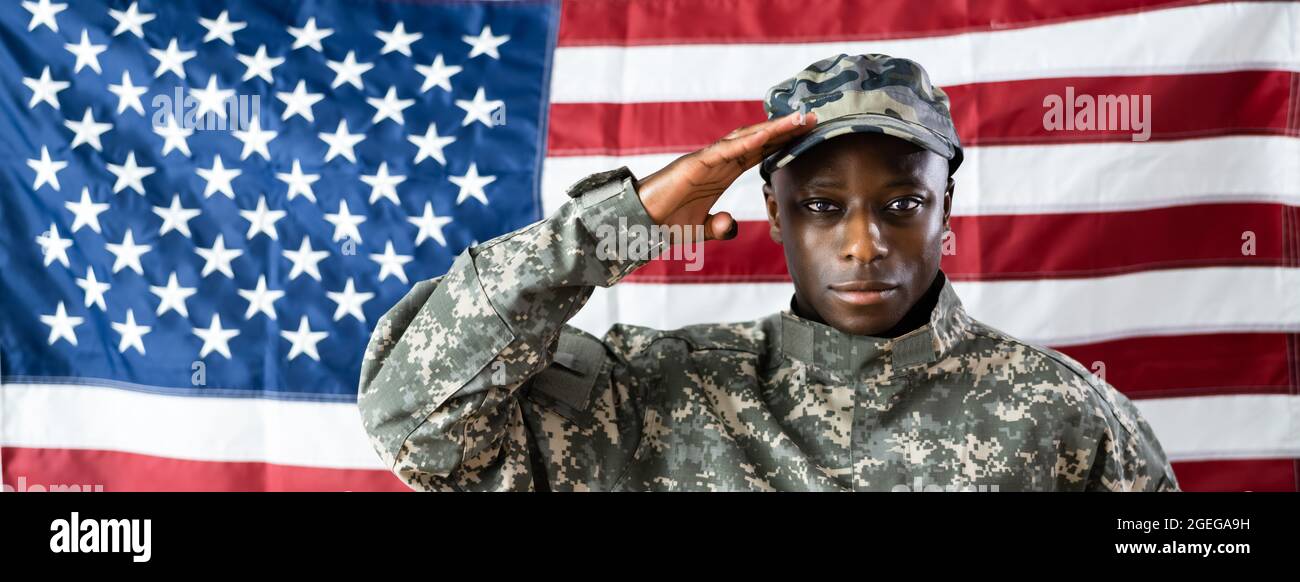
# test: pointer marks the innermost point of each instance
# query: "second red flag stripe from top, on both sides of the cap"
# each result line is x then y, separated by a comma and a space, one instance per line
1012, 112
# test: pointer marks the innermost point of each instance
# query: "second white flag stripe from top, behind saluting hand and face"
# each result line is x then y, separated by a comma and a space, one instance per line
1026, 180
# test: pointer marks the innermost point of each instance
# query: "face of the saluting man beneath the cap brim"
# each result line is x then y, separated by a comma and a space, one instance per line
861, 218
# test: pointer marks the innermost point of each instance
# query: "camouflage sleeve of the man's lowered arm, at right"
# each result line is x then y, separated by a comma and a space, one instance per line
1129, 457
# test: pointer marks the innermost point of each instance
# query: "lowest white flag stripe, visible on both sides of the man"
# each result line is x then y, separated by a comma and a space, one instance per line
203, 429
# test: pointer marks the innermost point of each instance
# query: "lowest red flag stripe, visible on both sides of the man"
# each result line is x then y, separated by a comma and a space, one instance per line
36, 470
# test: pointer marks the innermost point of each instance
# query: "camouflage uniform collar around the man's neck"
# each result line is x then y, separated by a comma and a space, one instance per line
822, 345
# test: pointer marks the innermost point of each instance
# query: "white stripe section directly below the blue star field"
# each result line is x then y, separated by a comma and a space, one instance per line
194, 428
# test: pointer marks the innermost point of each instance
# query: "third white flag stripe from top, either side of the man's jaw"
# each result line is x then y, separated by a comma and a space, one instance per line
1051, 312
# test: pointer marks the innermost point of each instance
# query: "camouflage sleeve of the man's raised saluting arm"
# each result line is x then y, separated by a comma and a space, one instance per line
443, 375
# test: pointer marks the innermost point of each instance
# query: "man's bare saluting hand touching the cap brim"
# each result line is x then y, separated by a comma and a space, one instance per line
686, 190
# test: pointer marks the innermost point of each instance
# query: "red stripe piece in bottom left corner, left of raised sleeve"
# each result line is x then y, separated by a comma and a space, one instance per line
112, 471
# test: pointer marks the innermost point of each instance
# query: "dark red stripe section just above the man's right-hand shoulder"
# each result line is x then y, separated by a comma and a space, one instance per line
1190, 366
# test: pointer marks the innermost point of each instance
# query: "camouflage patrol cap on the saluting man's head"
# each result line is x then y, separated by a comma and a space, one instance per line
865, 94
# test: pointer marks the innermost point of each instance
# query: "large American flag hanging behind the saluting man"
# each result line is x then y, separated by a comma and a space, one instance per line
140, 259
